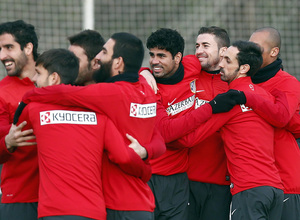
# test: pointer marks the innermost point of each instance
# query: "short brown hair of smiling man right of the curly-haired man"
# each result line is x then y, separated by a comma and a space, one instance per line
220, 34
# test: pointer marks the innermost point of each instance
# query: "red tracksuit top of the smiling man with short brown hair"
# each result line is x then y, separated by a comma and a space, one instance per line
207, 160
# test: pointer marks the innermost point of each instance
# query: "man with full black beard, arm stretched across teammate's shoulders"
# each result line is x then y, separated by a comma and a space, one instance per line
131, 104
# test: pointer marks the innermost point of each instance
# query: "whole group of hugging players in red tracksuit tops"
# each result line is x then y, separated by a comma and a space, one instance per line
84, 136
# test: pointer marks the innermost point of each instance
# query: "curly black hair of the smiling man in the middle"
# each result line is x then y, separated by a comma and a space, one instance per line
166, 39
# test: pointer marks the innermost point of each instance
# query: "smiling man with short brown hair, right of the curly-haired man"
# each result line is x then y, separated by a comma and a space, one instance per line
208, 176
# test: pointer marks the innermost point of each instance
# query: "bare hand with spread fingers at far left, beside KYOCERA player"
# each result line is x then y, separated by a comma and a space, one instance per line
18, 138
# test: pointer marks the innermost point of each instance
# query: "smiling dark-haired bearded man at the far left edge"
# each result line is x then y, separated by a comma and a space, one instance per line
19, 183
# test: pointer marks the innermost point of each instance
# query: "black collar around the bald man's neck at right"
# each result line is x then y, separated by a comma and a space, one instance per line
267, 72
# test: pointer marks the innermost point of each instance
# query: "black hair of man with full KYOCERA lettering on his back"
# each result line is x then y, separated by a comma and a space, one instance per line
61, 61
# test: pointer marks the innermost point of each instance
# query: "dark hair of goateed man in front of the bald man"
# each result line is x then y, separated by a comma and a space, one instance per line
249, 53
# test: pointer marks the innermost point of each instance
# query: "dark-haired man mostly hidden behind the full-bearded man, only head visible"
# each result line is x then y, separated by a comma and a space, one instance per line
86, 45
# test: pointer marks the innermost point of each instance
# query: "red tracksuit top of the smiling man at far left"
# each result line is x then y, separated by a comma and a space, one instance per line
18, 183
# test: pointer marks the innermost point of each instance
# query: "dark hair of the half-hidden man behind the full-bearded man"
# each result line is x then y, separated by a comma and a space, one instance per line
91, 41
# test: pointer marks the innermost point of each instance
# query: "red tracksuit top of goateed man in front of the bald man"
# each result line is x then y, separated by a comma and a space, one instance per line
248, 141
